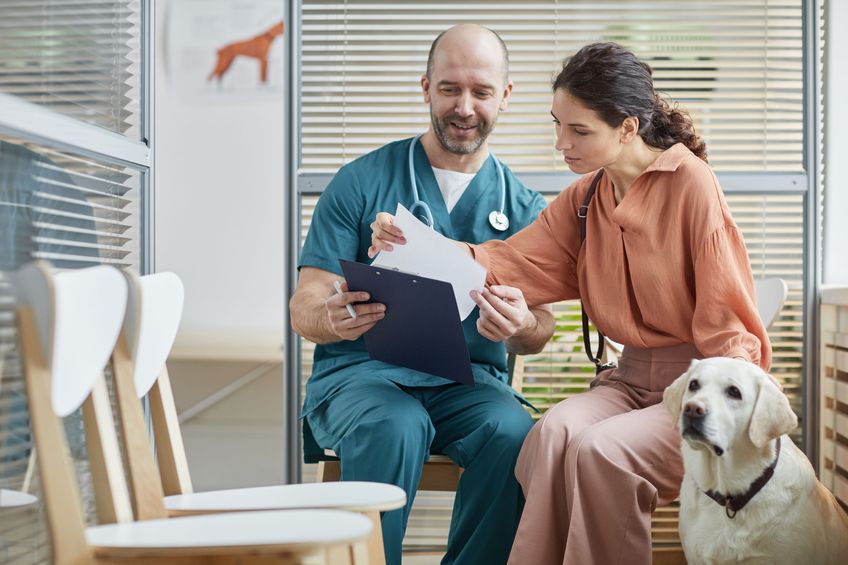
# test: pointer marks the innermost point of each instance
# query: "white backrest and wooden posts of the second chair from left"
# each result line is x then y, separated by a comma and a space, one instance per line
154, 308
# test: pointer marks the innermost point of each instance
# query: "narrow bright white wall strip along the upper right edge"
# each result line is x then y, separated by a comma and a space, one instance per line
835, 267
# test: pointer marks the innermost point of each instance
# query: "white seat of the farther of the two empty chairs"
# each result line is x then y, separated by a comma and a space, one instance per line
353, 496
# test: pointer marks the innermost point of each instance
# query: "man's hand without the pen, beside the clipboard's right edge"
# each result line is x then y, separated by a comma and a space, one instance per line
503, 312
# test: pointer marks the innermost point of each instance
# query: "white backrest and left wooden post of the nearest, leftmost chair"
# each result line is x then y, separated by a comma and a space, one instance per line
68, 323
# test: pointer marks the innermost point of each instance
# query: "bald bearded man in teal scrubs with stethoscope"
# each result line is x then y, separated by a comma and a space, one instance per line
382, 420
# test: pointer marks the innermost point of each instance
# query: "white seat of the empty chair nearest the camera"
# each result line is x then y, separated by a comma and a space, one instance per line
265, 530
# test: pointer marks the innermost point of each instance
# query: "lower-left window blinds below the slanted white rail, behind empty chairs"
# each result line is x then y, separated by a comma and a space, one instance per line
75, 212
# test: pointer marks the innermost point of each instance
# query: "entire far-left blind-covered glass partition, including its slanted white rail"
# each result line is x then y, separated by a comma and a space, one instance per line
66, 195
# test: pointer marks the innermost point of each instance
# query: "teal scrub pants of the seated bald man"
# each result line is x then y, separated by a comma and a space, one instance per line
384, 432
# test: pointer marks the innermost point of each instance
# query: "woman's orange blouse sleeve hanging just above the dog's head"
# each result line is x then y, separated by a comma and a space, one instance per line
726, 322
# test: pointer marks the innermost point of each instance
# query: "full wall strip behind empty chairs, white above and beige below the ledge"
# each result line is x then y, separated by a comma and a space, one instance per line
219, 223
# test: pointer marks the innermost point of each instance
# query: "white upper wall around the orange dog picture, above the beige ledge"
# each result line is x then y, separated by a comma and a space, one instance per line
220, 182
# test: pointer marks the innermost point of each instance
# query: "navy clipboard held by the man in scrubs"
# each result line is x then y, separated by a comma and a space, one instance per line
421, 330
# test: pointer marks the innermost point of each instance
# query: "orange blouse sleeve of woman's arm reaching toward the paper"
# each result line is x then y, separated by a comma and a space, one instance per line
541, 259
